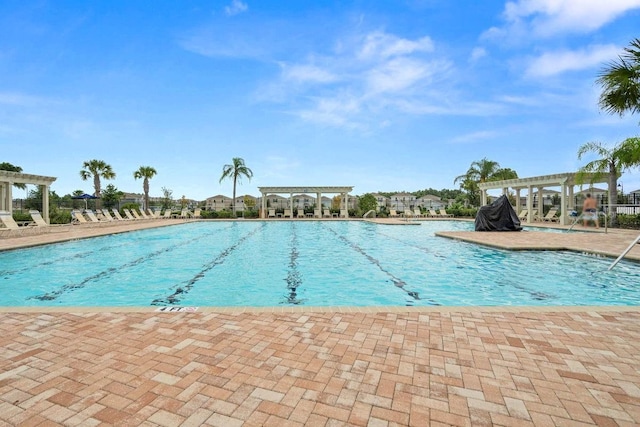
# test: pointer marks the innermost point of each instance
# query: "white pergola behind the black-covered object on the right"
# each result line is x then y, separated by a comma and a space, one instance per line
566, 182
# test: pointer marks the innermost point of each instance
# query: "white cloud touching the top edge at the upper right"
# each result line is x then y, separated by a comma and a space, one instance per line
545, 18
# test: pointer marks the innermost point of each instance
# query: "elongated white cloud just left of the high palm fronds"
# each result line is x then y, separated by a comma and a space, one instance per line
553, 63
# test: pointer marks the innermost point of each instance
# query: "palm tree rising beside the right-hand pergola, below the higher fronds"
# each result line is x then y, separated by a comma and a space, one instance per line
612, 161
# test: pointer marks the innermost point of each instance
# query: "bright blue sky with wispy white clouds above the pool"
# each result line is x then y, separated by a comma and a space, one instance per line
380, 95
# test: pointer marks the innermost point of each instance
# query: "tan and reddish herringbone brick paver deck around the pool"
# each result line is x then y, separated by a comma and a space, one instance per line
304, 366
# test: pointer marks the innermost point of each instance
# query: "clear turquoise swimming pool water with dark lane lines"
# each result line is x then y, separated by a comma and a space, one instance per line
311, 263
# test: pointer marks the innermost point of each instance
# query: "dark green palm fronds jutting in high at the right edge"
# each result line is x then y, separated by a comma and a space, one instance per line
620, 81
